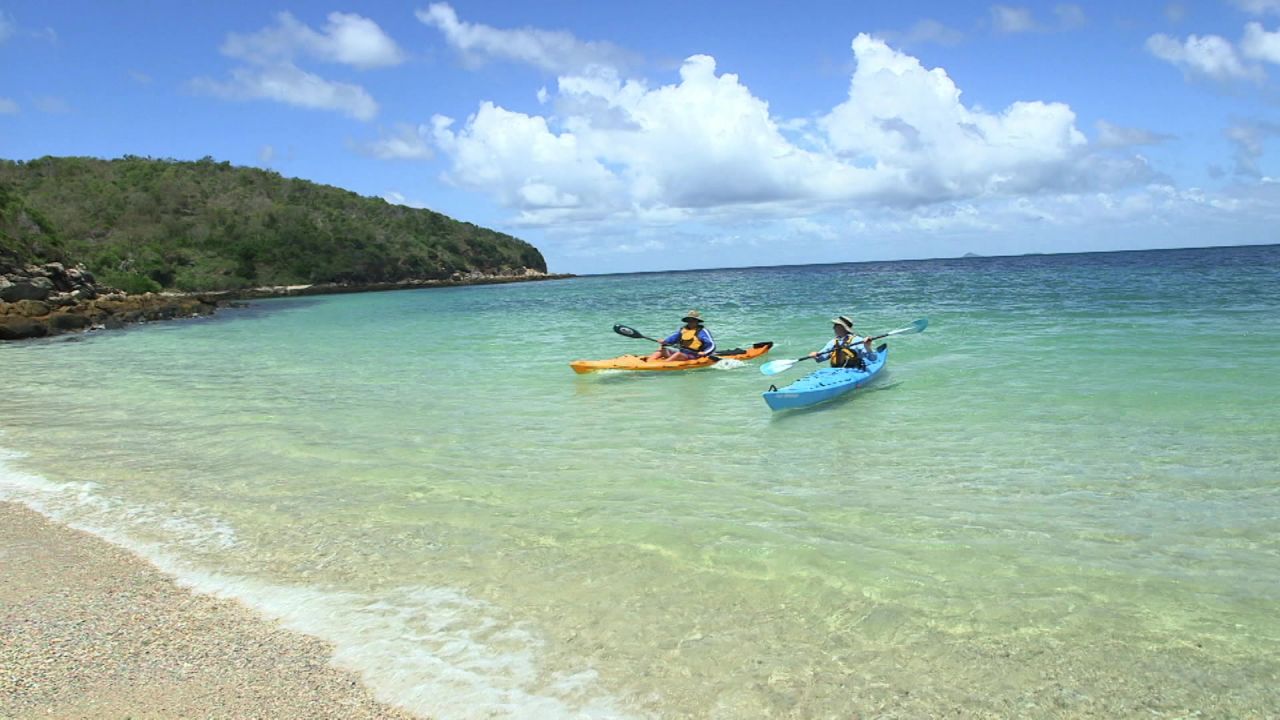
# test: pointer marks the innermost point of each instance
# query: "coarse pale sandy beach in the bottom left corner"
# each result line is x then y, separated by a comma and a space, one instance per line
90, 631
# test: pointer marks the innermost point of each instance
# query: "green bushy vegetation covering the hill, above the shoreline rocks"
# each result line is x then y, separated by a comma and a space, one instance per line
149, 225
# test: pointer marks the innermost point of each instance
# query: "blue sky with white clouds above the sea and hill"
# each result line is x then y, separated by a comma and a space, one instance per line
674, 135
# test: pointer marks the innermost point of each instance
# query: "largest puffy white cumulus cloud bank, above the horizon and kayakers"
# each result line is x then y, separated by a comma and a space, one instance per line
707, 145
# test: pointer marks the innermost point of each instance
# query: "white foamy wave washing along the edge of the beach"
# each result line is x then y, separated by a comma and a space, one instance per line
432, 651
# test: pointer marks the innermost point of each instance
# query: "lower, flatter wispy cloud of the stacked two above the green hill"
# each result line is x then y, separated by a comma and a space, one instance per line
290, 85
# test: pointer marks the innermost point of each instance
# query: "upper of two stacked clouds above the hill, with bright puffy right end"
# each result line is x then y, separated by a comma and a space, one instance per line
348, 39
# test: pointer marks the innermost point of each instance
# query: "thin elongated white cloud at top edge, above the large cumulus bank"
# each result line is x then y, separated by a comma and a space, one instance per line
550, 51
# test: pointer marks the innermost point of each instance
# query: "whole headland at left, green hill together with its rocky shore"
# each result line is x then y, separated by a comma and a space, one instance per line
81, 239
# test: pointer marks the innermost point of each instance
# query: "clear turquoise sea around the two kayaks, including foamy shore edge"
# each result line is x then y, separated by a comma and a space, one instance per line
1060, 500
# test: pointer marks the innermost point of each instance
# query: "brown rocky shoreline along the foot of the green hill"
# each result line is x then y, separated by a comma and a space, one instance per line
52, 299
